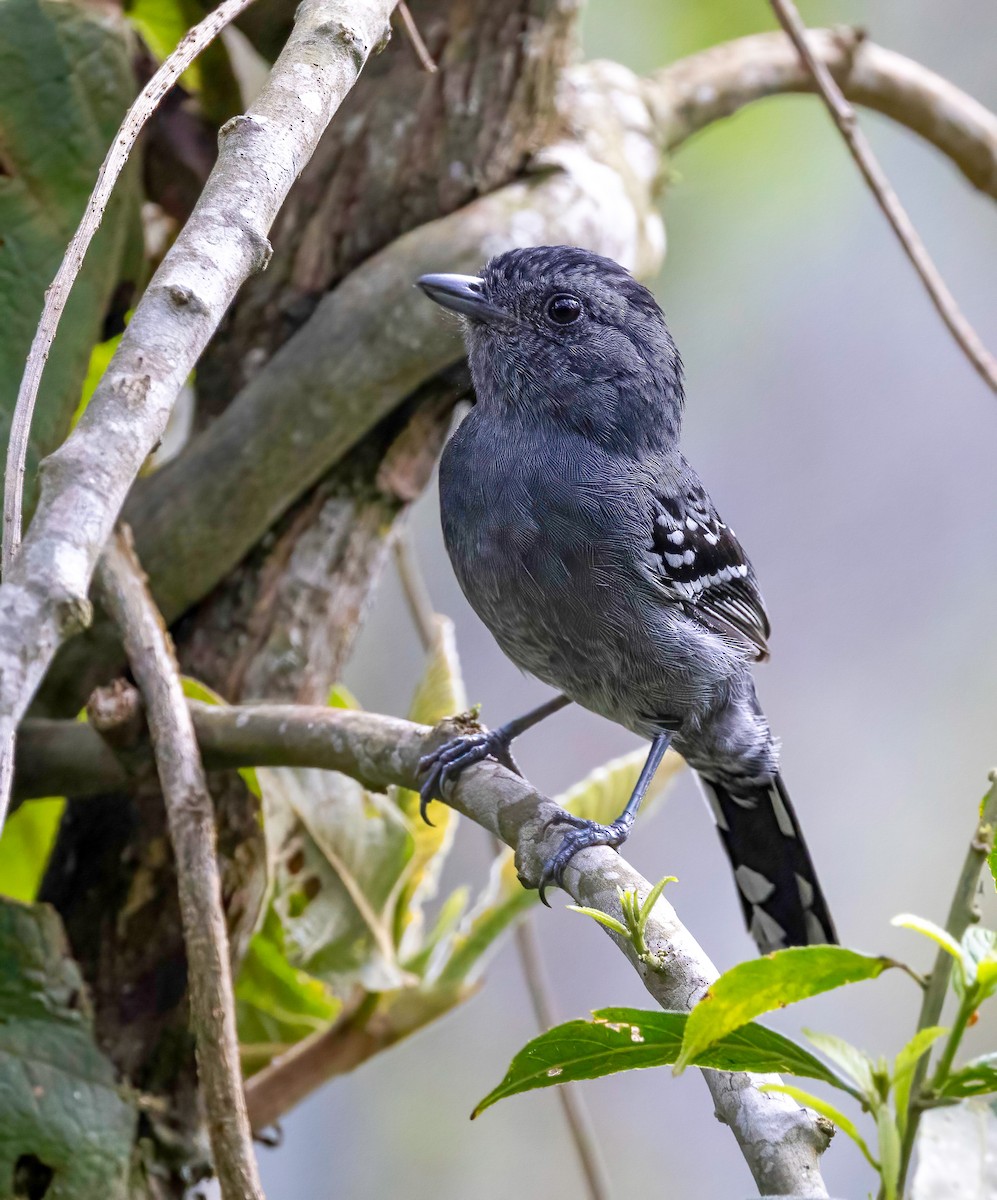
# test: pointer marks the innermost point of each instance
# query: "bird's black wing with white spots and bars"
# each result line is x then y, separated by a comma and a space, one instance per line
702, 567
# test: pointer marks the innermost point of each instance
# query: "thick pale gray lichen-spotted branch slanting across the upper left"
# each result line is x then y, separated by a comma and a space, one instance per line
85, 484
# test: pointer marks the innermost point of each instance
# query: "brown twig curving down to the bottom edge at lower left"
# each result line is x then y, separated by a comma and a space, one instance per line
191, 821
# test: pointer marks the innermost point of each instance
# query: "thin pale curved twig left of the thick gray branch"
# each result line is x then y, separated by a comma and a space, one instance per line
58, 295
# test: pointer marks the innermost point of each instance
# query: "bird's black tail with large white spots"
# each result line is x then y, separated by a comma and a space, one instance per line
777, 883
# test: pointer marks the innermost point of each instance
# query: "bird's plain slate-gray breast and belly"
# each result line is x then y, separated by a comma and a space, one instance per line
545, 541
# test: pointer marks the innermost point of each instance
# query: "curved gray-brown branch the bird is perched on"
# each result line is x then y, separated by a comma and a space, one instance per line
782, 1142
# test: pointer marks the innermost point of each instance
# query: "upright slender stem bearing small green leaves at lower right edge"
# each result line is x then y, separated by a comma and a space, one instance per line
964, 913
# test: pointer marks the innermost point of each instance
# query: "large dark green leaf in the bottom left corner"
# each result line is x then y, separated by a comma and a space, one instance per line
62, 1109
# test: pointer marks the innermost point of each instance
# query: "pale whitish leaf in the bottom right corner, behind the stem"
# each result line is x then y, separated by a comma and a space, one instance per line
956, 1154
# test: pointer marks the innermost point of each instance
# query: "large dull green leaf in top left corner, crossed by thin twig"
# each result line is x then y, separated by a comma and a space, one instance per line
65, 85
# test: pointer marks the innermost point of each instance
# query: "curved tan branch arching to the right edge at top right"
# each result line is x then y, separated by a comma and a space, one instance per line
705, 88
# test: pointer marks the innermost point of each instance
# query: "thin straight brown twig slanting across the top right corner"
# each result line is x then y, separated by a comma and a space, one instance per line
846, 121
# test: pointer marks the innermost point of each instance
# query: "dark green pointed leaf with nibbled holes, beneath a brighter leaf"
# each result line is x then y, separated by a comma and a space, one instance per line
632, 1039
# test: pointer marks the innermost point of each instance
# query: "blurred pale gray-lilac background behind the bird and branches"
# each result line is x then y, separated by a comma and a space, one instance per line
854, 449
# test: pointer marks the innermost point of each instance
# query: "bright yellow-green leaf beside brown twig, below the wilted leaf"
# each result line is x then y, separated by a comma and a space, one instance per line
277, 1005
